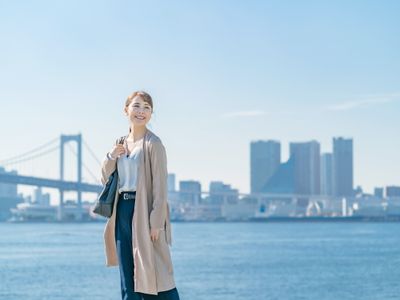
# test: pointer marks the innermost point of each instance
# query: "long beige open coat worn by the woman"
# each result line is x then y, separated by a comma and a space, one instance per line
153, 270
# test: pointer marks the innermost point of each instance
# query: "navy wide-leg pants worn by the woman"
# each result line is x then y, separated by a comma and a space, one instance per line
123, 237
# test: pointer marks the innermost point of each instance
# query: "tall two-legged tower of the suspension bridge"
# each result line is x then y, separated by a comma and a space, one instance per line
65, 139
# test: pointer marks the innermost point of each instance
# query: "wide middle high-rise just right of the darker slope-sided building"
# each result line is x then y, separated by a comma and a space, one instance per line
306, 157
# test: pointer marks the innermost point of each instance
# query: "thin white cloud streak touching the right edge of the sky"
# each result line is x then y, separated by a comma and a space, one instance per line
368, 101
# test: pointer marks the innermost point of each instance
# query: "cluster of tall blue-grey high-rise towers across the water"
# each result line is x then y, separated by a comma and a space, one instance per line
308, 171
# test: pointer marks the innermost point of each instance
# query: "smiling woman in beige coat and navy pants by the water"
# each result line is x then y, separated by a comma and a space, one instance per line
137, 234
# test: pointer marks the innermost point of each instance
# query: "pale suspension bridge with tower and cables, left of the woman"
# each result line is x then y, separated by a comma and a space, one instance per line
55, 145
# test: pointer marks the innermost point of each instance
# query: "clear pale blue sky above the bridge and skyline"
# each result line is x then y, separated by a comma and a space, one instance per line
221, 73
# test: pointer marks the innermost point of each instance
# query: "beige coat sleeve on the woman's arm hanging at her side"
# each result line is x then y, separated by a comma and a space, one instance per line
158, 160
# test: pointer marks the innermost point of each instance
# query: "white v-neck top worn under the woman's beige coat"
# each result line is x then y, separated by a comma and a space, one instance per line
128, 167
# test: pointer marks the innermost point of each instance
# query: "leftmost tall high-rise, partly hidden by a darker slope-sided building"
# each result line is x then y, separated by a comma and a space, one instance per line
265, 158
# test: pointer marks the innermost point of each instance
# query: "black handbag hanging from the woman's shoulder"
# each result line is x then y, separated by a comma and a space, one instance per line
105, 202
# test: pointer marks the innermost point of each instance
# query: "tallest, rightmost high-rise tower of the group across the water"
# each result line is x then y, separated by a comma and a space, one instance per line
342, 167
